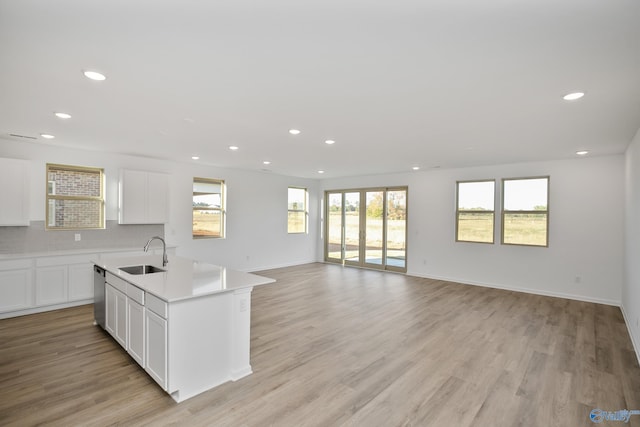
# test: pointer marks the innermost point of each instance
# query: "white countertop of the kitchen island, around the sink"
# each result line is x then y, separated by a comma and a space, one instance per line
184, 278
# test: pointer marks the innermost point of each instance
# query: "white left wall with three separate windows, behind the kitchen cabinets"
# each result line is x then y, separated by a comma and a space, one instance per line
256, 205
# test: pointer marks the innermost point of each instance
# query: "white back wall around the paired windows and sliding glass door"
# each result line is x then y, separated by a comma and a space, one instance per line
586, 235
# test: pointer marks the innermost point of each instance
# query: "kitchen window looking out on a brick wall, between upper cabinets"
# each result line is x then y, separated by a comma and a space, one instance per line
75, 197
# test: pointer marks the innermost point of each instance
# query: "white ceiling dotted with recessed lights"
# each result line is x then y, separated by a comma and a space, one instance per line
397, 84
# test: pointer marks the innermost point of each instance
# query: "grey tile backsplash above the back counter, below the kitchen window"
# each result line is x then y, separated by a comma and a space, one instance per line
34, 238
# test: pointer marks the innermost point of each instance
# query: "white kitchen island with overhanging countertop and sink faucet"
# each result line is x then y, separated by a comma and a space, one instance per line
187, 323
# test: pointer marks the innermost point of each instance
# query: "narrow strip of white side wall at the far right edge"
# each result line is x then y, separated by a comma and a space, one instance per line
631, 287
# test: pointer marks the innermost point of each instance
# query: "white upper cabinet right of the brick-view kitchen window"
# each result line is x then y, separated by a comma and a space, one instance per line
143, 197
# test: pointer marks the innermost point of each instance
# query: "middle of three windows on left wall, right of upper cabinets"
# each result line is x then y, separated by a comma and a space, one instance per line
208, 208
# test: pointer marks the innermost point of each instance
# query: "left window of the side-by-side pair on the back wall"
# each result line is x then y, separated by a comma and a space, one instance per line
475, 211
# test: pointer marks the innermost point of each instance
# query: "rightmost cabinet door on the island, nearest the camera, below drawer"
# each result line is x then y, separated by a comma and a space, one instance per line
156, 347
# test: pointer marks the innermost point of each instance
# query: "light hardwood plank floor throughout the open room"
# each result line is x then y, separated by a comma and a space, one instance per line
337, 346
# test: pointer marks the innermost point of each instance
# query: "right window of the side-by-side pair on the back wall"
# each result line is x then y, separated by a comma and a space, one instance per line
525, 211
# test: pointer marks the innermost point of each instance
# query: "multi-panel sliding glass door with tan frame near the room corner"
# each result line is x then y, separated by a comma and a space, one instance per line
367, 228
